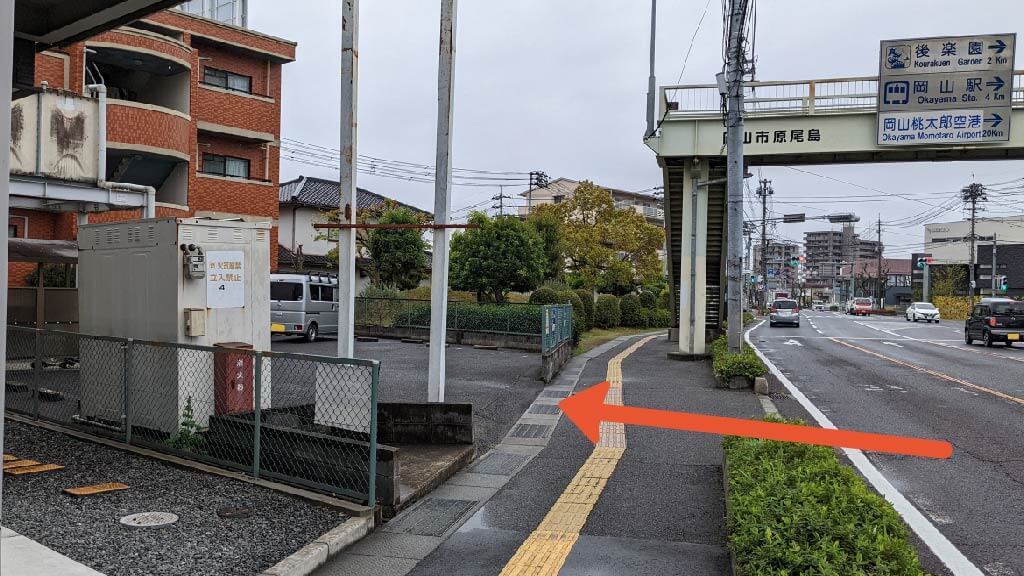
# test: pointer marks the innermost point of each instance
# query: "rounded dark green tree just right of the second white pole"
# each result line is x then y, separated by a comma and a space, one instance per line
504, 255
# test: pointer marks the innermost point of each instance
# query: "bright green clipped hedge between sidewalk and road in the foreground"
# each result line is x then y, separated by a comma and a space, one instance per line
795, 509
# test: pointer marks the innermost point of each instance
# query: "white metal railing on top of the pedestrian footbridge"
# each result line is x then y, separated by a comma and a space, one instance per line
832, 96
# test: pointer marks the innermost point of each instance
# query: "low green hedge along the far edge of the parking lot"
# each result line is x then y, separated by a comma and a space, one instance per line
511, 319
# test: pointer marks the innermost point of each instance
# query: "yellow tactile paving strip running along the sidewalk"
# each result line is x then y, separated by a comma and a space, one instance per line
544, 553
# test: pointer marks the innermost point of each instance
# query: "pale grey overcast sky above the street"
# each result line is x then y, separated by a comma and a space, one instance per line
560, 87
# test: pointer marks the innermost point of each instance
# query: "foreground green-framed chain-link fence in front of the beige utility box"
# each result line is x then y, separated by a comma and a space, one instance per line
302, 420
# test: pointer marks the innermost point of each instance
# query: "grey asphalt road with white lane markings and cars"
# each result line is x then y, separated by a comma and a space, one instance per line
887, 376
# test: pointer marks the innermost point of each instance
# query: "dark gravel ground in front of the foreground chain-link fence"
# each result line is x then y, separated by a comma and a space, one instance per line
88, 529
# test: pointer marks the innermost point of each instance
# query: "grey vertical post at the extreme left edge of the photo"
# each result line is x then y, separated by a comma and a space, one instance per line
7, 69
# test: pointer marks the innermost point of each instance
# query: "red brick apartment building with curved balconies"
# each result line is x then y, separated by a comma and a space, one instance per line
193, 110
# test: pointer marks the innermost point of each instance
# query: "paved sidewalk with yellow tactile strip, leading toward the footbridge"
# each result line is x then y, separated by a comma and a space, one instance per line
662, 511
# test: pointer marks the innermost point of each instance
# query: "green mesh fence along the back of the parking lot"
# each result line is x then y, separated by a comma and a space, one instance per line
513, 319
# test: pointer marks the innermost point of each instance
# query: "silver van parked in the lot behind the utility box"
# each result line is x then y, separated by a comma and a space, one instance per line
306, 306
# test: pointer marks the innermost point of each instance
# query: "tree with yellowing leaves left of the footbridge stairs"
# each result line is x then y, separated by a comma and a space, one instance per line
606, 249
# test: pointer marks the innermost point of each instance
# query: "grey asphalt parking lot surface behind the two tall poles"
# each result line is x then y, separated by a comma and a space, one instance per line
501, 385
